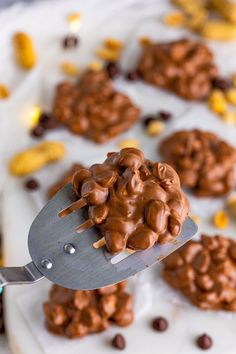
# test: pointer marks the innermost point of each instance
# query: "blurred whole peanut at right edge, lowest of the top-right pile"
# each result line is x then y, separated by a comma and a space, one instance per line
219, 30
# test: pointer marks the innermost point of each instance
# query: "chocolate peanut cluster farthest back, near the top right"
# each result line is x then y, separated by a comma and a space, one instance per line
185, 67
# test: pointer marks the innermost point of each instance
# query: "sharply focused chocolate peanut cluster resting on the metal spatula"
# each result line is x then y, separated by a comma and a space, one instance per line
134, 202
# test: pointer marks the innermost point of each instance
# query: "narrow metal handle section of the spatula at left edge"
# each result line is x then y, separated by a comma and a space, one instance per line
27, 274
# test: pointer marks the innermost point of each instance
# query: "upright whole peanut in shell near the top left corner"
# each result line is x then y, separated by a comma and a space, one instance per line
24, 50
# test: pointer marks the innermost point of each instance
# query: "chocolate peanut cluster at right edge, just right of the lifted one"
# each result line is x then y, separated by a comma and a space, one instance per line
203, 161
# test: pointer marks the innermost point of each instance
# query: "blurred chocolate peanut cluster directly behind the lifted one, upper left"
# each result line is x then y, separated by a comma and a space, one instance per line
93, 108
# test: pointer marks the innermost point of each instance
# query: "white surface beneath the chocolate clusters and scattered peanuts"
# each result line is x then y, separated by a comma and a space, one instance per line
24, 315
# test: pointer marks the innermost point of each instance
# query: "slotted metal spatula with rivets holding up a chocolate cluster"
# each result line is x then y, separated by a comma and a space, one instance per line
69, 259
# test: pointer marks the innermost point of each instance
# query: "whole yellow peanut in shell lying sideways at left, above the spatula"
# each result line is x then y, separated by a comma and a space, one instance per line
37, 157
